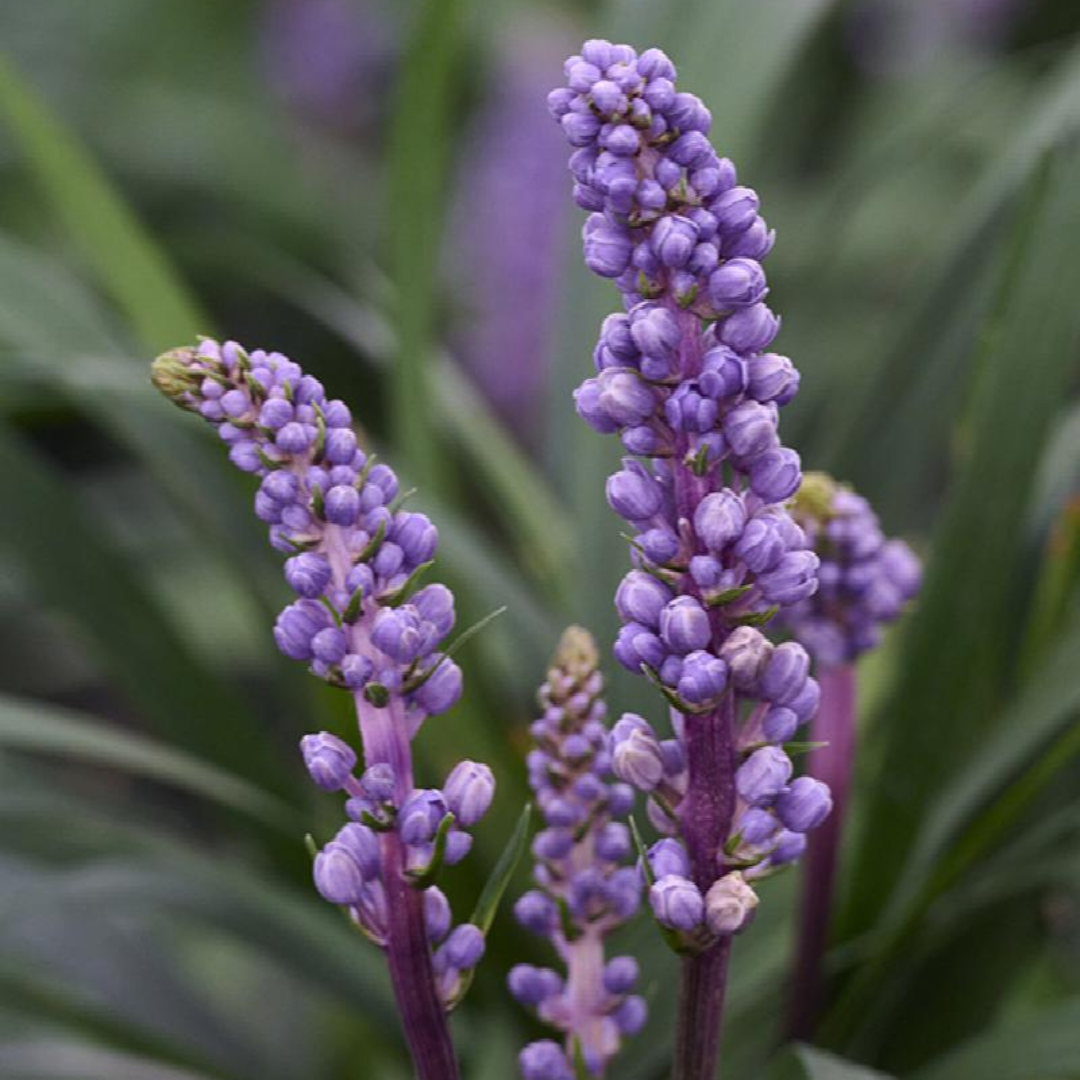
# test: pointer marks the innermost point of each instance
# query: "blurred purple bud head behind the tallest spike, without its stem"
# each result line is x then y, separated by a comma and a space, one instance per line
865, 579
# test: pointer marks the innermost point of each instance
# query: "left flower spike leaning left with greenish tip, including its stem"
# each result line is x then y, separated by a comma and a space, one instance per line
354, 562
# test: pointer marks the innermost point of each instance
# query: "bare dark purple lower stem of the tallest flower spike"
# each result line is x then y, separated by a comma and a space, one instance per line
706, 815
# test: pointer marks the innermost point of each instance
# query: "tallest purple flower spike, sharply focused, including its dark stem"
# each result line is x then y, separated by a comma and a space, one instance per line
685, 377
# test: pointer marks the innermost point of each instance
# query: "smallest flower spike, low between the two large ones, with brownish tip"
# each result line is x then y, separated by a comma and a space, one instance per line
586, 888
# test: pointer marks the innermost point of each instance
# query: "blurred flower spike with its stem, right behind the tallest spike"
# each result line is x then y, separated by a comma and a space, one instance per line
866, 580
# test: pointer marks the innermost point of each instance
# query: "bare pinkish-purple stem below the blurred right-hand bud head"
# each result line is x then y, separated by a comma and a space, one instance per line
834, 724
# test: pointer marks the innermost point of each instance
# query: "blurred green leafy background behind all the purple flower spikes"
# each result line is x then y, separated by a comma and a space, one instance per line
375, 190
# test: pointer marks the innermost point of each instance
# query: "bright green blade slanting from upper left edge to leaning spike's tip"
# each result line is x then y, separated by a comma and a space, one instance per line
111, 240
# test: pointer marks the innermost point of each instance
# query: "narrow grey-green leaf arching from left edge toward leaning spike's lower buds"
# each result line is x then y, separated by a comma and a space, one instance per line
39, 728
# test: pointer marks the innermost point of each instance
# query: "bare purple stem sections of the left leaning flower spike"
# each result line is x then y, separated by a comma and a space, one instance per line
409, 956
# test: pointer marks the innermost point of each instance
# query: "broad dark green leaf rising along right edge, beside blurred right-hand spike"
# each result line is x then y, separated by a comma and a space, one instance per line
952, 681
